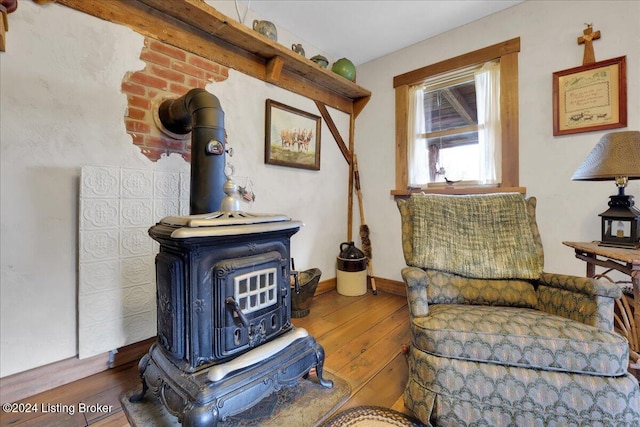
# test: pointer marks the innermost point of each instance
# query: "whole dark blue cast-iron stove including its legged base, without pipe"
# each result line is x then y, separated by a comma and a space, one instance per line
225, 338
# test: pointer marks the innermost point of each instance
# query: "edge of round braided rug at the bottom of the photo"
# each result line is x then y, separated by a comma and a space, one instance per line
372, 416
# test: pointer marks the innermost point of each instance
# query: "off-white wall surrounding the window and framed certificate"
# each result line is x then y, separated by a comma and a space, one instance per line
548, 31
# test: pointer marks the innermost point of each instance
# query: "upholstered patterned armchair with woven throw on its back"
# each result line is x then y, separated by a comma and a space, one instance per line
495, 341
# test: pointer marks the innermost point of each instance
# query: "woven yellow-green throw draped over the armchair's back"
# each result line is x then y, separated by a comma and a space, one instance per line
480, 236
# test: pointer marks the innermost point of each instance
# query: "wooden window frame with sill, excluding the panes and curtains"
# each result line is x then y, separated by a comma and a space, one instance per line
507, 53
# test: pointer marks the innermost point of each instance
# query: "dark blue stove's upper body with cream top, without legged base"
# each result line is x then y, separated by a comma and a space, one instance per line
232, 280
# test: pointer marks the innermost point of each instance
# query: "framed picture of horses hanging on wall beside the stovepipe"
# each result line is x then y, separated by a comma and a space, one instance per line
292, 137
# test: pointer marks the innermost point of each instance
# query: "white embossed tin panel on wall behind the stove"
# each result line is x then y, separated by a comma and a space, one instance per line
116, 255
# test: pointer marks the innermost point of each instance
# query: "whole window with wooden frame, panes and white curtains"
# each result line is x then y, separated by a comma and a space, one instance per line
457, 121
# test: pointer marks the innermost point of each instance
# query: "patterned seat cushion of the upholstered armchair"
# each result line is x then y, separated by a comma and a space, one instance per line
521, 337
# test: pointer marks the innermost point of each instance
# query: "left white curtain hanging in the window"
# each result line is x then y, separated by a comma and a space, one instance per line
418, 154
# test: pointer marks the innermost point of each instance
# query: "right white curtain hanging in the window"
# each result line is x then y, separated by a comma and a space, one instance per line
489, 132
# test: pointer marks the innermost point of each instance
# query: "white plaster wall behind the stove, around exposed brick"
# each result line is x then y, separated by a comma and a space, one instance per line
61, 107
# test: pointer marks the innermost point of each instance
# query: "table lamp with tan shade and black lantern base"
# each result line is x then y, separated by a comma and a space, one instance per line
616, 157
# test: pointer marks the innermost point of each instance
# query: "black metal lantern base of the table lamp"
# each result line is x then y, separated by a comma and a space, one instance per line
620, 223
